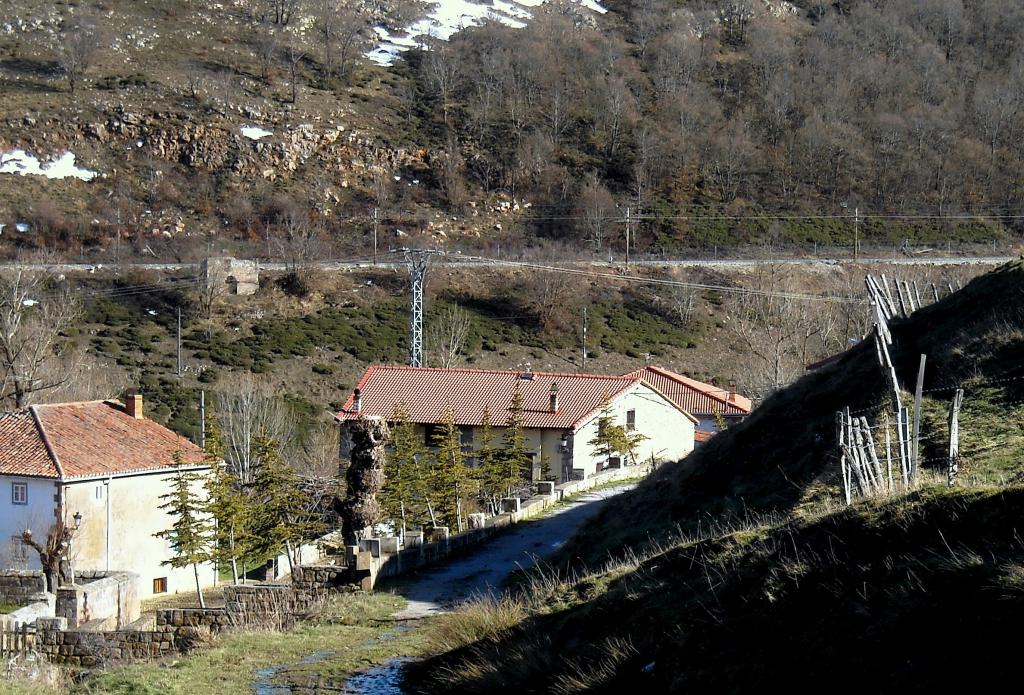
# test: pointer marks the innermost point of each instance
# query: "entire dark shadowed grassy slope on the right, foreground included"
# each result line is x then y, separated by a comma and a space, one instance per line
738, 570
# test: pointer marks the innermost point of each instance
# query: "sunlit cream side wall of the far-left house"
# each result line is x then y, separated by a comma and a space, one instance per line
120, 516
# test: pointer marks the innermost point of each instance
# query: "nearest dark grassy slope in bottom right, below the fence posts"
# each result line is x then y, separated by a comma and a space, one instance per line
914, 594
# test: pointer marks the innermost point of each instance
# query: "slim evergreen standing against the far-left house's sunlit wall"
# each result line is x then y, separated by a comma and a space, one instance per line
191, 535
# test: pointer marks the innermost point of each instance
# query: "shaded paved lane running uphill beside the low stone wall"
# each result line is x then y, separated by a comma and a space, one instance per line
485, 571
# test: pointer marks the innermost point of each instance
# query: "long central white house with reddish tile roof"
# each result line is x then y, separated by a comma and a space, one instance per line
561, 411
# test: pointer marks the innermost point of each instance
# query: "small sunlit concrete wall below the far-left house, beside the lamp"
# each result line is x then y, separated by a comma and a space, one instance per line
106, 601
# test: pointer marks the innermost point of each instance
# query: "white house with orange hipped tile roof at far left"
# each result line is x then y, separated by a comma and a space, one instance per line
103, 460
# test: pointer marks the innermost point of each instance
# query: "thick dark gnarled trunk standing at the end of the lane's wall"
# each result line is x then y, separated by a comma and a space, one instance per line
365, 476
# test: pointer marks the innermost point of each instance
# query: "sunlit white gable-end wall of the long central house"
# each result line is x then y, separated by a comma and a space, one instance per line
670, 432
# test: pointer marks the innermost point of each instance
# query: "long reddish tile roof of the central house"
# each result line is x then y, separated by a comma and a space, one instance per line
428, 394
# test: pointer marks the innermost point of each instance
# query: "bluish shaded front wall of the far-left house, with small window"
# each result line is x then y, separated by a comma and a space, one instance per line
36, 515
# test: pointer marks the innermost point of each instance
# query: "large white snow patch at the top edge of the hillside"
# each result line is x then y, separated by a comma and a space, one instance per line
450, 17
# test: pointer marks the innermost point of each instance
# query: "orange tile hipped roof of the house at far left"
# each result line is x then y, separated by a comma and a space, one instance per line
73, 441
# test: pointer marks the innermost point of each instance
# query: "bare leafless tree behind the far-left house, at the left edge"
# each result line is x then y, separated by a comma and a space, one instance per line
33, 315
